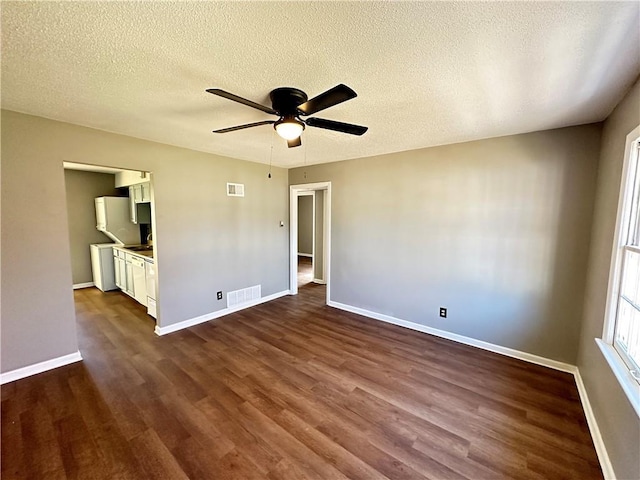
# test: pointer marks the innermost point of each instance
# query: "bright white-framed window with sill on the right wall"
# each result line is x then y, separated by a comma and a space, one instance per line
621, 337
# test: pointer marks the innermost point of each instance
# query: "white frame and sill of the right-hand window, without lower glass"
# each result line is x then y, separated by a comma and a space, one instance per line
627, 224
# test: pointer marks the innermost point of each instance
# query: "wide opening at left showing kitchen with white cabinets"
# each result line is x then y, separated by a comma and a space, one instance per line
111, 214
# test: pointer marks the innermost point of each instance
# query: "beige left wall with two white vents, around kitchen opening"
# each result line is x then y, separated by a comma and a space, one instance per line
205, 241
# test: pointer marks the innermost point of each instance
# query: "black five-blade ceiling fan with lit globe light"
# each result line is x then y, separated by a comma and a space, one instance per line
290, 104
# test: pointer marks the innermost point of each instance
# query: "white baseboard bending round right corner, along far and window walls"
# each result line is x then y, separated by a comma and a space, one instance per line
603, 457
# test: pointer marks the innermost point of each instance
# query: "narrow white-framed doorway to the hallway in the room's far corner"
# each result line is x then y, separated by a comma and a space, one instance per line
318, 197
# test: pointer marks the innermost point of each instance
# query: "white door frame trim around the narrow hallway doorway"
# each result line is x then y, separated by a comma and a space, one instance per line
294, 192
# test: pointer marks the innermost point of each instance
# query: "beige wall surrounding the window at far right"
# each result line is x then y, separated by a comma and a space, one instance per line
618, 422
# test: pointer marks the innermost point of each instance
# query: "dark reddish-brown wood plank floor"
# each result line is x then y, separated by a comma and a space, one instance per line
291, 389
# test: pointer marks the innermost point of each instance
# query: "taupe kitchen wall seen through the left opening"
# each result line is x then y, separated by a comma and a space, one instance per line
81, 190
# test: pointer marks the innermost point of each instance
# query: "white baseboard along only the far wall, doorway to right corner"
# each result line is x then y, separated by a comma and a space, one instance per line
509, 352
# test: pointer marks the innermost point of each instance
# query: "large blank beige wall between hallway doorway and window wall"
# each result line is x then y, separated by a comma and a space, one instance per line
496, 230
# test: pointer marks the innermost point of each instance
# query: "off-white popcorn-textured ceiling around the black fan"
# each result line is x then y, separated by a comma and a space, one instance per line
426, 73
